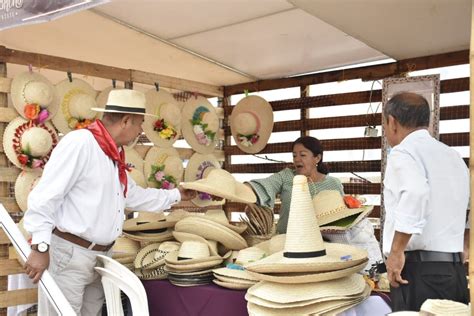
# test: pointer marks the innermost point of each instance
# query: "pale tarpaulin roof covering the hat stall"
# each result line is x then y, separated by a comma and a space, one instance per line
224, 42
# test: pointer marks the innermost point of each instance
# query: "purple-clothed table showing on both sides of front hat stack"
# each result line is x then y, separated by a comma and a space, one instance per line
165, 298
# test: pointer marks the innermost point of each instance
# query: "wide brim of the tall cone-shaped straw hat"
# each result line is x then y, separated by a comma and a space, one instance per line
333, 260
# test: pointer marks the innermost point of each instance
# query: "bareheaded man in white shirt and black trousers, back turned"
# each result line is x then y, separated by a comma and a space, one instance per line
426, 195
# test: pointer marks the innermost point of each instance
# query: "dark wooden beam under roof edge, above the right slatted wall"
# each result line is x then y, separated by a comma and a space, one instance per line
364, 73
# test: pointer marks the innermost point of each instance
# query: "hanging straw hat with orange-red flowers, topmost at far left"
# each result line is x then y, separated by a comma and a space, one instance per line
32, 93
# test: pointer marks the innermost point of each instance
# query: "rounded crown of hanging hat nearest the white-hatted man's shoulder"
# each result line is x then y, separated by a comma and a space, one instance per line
37, 141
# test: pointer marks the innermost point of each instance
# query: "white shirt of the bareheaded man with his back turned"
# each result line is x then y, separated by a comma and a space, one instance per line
426, 194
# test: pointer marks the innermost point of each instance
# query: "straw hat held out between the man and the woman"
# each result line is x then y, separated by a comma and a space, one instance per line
220, 182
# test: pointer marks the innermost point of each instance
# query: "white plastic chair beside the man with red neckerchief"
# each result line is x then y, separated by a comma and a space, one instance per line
110, 280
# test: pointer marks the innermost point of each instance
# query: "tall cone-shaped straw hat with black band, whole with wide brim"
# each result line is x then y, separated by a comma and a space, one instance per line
304, 249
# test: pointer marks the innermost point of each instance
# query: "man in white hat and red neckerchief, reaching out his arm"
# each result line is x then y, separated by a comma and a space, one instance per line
76, 211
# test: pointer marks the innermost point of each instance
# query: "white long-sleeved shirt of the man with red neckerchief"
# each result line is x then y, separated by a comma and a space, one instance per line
80, 193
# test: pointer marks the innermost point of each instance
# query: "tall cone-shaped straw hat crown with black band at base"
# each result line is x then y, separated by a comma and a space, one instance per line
303, 235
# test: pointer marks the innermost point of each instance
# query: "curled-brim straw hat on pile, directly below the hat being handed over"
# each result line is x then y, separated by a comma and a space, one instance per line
211, 230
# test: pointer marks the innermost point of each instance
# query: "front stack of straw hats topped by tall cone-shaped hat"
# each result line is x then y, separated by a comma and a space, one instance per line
308, 276
